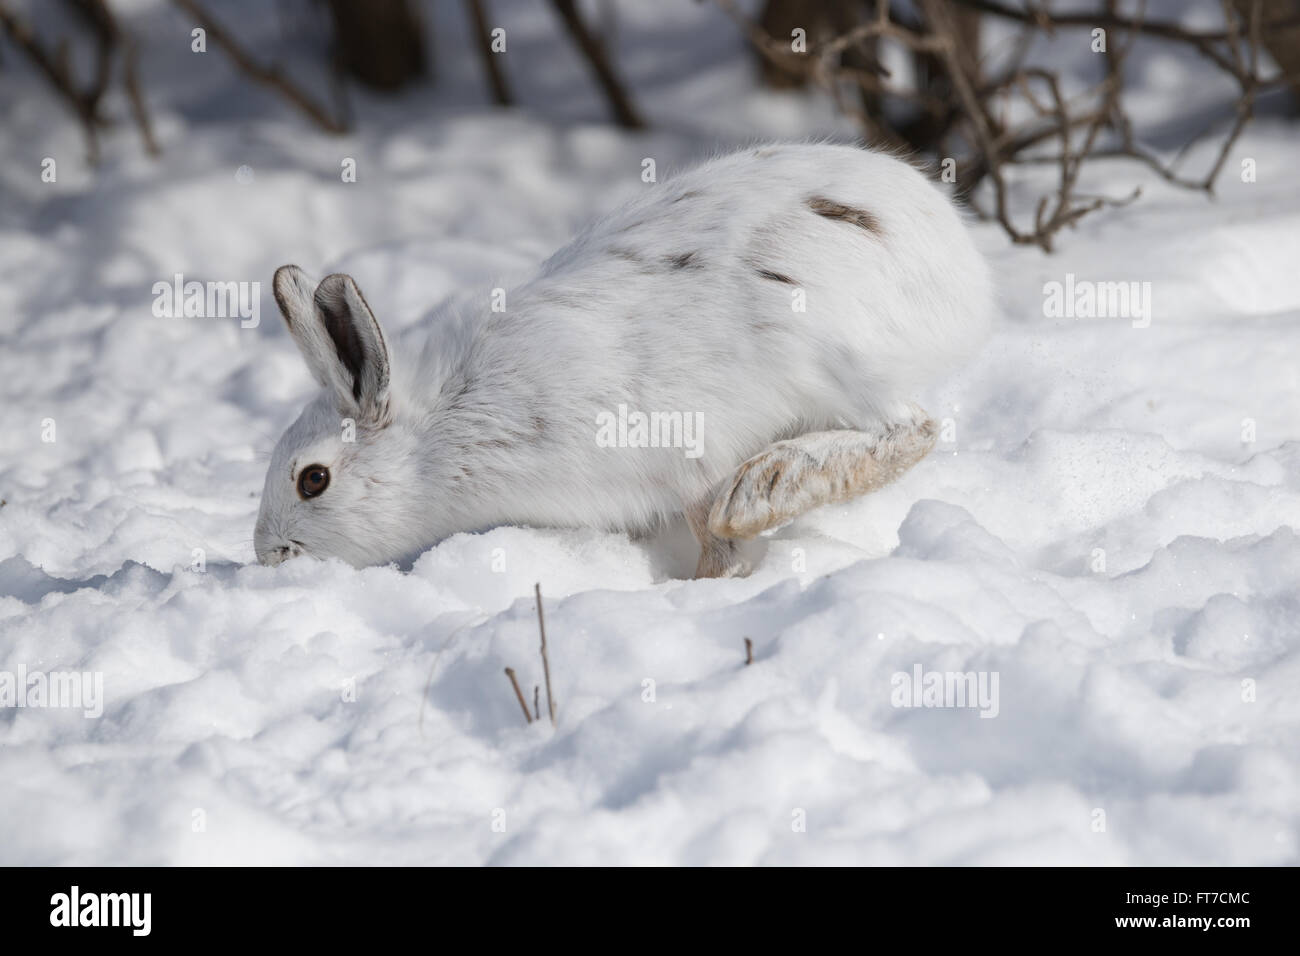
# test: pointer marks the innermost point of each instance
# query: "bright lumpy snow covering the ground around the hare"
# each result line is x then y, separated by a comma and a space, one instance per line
1112, 530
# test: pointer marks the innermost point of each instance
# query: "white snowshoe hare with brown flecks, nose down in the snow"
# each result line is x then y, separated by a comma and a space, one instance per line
740, 344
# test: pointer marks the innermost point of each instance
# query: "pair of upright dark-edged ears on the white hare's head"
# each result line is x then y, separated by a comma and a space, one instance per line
339, 338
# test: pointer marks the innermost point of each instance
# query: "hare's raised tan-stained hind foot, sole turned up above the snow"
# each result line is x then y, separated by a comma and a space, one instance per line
798, 475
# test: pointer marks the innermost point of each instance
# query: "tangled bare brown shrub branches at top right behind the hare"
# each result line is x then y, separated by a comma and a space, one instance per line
970, 119
